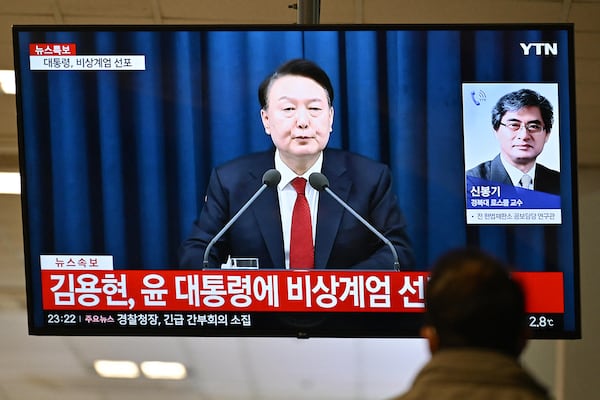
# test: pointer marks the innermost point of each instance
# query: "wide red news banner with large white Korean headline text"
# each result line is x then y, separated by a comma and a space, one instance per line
263, 290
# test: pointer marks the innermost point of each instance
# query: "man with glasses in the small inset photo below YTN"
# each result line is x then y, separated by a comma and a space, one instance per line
522, 121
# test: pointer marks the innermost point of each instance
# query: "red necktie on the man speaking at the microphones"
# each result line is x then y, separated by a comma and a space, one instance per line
301, 246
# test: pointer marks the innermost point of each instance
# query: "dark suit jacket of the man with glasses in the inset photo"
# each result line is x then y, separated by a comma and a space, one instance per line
545, 180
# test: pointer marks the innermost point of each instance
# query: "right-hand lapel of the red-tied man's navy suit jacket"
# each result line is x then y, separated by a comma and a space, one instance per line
330, 211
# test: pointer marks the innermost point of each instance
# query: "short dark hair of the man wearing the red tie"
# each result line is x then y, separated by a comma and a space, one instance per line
298, 67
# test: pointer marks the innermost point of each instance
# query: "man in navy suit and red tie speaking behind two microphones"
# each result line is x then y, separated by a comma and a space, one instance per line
292, 225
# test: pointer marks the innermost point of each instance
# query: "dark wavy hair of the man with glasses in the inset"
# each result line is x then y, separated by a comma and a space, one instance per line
514, 101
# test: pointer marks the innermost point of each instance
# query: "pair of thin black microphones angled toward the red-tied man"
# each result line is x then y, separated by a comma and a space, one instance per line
320, 183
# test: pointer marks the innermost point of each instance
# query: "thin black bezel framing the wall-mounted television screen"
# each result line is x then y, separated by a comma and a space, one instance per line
388, 325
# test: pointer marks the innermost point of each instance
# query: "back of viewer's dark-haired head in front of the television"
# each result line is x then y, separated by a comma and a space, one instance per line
472, 301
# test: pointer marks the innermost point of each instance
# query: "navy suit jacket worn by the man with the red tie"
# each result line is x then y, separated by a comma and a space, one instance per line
341, 240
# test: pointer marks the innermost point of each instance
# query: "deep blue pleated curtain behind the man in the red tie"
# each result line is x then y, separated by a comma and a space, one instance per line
116, 162
